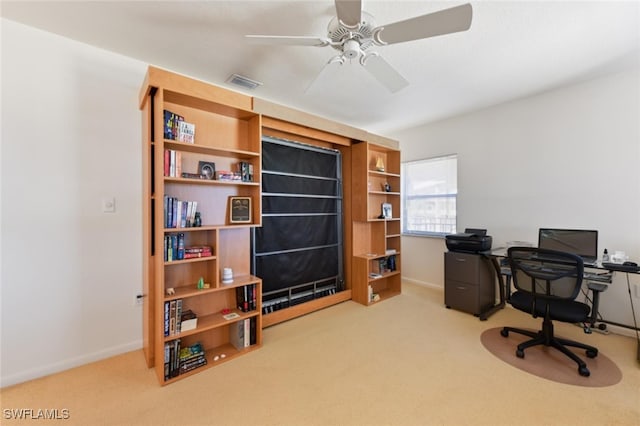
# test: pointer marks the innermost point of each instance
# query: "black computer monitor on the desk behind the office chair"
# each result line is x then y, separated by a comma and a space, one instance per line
582, 242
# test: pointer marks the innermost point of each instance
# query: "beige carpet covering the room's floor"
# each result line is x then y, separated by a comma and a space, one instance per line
407, 361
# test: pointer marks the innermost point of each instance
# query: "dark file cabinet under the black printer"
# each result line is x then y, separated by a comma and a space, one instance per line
469, 284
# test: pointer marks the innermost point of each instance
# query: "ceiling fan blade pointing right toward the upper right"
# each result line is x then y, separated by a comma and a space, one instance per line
434, 24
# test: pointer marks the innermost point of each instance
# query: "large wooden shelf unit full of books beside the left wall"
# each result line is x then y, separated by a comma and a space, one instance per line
226, 133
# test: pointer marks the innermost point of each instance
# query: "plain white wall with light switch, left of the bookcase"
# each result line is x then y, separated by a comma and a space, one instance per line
71, 135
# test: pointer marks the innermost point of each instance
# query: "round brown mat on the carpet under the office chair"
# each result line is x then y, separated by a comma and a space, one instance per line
550, 363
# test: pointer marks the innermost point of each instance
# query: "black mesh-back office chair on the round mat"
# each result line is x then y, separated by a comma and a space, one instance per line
547, 283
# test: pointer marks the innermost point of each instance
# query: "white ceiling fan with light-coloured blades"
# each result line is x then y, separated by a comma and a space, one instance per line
353, 32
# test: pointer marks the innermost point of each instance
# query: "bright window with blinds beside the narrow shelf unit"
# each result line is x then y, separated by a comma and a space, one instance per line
430, 189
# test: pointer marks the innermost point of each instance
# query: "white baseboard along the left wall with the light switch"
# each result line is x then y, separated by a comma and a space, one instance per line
45, 370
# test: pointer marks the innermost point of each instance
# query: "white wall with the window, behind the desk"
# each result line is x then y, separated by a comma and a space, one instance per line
567, 158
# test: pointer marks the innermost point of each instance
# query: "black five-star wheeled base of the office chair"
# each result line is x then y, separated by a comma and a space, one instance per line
547, 338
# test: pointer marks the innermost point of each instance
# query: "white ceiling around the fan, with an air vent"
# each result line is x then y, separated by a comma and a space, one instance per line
513, 49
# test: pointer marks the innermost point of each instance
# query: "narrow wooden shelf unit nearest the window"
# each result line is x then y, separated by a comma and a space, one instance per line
375, 238
